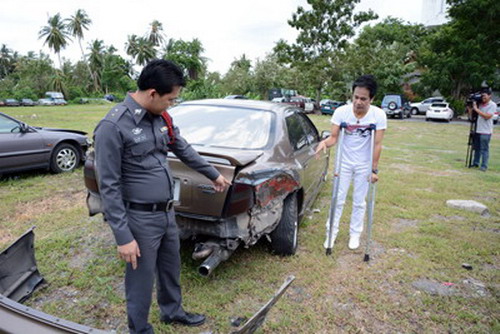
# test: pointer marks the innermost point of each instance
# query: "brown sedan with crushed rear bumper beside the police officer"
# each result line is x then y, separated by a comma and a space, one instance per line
267, 151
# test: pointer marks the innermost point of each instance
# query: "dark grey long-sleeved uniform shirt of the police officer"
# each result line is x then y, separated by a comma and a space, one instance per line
131, 146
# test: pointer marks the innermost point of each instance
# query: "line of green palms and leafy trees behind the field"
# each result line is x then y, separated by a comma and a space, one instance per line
334, 45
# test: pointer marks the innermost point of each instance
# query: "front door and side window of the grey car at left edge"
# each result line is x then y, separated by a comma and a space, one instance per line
20, 149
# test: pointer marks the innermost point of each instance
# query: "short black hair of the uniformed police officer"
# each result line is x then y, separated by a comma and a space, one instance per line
161, 75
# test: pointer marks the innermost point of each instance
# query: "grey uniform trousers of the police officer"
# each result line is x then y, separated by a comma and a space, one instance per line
158, 239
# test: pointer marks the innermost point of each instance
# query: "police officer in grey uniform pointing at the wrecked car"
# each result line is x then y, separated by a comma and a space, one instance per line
131, 145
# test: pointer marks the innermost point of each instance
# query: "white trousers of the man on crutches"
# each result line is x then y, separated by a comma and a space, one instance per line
360, 175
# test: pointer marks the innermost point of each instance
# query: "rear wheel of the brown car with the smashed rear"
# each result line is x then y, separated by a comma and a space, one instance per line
284, 238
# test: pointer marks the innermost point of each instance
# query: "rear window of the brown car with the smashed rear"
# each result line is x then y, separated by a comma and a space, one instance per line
220, 126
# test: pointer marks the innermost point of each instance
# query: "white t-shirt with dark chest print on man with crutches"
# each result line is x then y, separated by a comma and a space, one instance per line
356, 145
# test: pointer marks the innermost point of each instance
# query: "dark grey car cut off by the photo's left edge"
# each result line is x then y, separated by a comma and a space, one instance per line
27, 147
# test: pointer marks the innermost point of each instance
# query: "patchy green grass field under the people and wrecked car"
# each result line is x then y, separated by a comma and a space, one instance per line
414, 282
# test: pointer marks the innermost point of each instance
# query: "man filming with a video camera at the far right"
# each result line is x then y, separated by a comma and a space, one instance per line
484, 128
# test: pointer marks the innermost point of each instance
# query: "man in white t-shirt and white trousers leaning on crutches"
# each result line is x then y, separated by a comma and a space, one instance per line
354, 125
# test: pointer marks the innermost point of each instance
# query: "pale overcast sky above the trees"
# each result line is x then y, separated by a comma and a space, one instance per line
226, 28
